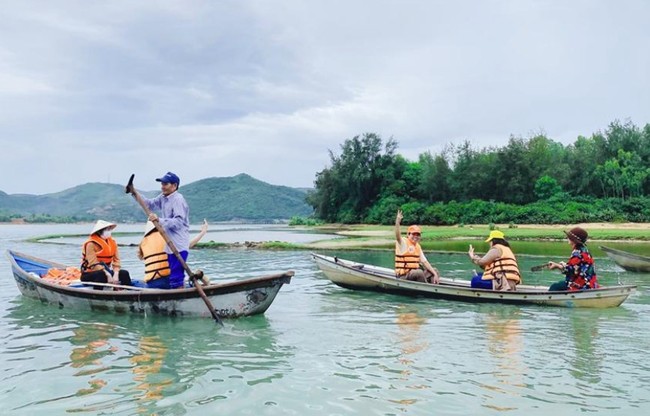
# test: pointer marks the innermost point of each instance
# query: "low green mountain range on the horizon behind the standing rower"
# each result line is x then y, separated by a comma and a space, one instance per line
217, 199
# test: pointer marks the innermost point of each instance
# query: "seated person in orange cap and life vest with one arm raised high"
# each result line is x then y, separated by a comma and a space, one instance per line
409, 255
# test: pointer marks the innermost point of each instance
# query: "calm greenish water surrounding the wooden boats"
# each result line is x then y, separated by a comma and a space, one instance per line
320, 349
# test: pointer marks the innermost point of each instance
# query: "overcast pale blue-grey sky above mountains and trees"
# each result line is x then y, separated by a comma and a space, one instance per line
92, 91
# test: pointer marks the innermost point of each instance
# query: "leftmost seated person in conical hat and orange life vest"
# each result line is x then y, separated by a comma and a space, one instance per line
100, 261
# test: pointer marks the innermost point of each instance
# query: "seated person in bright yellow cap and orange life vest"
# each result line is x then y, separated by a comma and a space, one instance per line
500, 268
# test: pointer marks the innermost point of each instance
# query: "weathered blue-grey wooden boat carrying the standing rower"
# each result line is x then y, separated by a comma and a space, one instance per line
232, 299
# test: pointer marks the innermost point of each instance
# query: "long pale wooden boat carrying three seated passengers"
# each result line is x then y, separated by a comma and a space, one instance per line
359, 276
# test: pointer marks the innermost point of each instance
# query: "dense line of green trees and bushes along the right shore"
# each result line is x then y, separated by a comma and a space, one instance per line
604, 177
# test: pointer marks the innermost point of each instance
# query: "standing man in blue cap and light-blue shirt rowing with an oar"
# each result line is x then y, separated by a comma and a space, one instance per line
174, 218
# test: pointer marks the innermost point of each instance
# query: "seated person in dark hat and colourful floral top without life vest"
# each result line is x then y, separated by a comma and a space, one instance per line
579, 272
